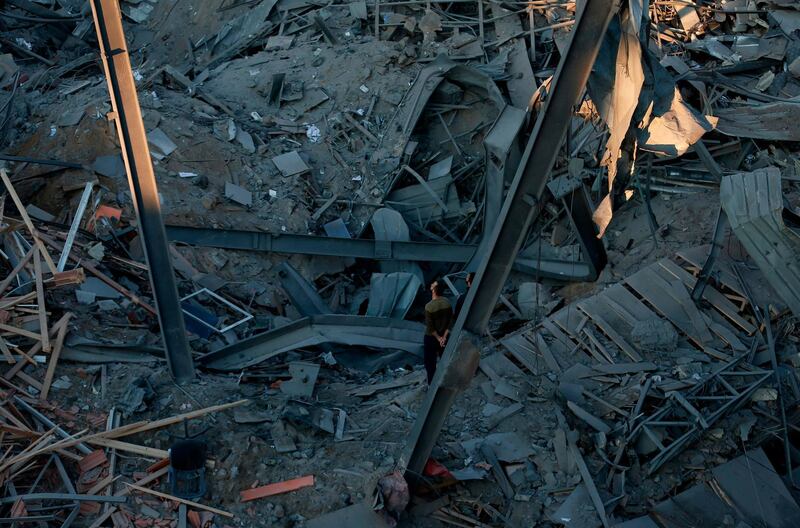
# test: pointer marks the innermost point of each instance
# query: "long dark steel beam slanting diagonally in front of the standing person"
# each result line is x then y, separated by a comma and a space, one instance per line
520, 208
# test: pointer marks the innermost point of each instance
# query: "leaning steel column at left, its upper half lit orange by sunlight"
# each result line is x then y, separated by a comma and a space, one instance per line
142, 180
